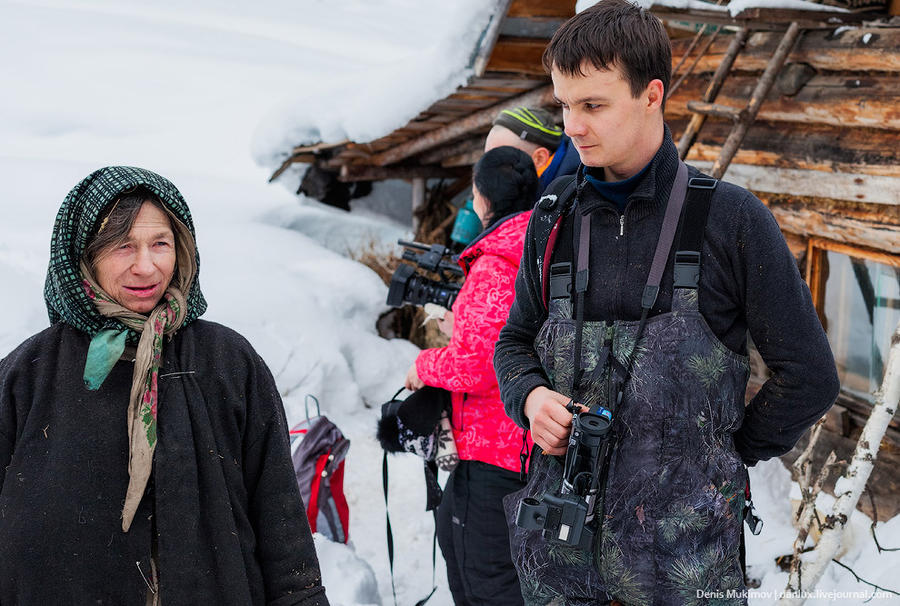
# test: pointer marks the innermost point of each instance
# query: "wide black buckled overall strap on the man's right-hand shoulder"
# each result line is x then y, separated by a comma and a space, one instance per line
690, 245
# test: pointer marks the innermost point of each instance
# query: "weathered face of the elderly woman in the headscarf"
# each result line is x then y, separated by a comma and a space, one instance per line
137, 272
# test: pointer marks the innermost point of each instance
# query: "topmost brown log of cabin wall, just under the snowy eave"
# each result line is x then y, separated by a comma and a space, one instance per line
855, 49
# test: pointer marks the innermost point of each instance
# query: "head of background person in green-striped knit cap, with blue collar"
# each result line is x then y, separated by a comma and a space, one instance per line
534, 131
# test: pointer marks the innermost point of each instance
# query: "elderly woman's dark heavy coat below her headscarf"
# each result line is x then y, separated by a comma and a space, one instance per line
224, 506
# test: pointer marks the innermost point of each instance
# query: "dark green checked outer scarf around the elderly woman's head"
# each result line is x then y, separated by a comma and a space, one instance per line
77, 222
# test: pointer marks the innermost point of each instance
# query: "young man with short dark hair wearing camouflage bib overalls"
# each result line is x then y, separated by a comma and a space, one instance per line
661, 350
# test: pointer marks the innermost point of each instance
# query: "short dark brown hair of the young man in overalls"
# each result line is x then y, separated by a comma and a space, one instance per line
613, 33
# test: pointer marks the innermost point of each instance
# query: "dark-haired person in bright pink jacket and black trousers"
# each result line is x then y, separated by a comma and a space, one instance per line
471, 525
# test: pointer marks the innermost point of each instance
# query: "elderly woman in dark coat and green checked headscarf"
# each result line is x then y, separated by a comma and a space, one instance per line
144, 453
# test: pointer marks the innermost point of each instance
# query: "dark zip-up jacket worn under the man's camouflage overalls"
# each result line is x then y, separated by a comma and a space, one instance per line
749, 282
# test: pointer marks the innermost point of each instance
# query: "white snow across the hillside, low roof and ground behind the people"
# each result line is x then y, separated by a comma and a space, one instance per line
189, 92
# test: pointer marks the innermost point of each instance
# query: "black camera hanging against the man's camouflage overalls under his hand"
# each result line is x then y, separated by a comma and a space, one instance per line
565, 517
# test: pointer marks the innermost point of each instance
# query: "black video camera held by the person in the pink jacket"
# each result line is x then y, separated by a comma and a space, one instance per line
408, 286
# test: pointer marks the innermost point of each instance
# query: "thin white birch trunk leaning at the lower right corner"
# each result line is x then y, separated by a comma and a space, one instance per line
849, 487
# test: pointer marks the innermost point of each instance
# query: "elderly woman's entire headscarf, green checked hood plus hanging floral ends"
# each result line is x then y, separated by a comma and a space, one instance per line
73, 296
